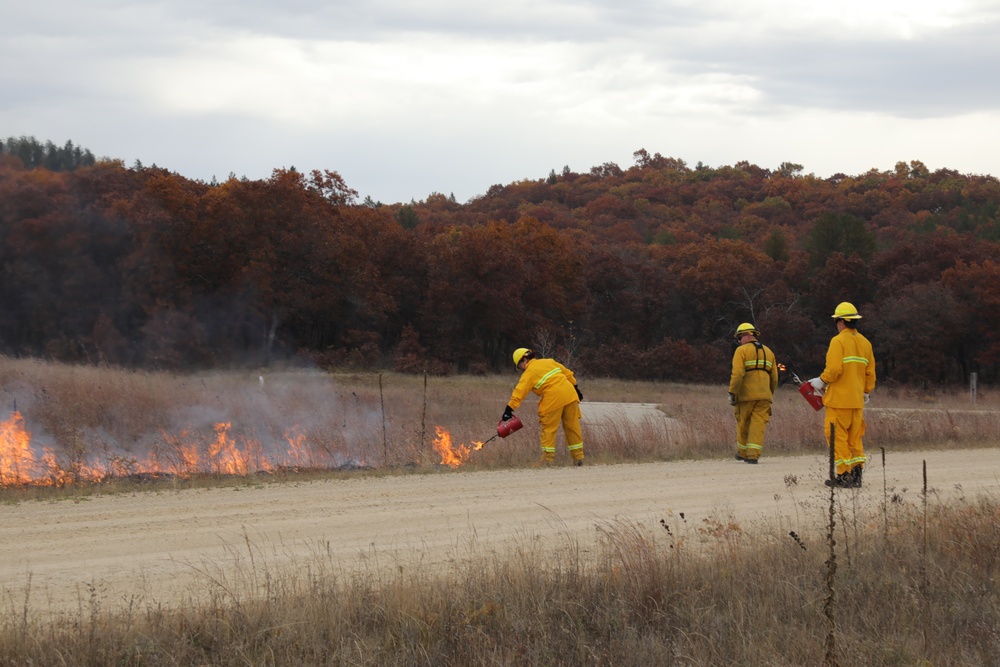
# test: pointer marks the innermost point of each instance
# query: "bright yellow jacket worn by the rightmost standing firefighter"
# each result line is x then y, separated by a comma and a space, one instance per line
850, 370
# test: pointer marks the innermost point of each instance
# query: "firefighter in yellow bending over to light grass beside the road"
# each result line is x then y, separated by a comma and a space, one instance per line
559, 402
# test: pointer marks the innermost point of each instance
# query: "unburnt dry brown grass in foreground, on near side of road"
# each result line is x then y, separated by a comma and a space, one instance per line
922, 590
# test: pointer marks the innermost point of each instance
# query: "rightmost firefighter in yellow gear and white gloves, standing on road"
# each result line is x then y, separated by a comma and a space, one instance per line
846, 382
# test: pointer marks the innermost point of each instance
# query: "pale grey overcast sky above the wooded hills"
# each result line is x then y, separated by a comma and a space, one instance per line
407, 98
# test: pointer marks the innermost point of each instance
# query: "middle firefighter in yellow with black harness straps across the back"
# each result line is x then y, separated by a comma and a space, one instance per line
751, 389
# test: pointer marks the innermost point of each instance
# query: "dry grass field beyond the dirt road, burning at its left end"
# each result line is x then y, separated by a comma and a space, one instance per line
103, 427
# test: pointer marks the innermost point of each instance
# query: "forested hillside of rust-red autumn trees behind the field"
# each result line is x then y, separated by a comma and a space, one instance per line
639, 272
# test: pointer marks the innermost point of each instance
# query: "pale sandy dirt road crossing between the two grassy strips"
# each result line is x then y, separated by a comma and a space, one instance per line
162, 547
